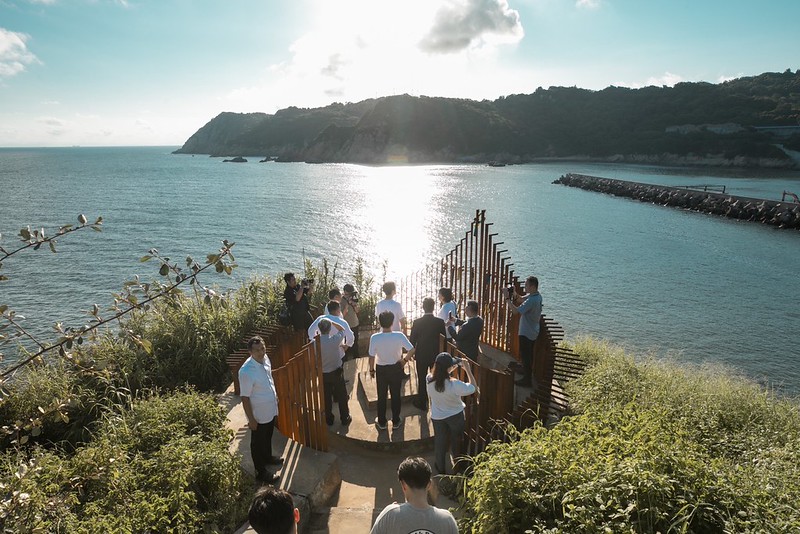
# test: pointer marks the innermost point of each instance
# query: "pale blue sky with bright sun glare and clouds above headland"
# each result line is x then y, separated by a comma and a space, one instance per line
152, 72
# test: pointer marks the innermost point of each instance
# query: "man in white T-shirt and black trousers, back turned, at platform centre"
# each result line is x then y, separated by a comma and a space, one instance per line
386, 366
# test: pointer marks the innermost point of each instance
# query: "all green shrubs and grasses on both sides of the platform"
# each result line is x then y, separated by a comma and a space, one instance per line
123, 432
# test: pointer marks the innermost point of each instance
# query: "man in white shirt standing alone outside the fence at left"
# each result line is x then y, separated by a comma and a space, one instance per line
260, 402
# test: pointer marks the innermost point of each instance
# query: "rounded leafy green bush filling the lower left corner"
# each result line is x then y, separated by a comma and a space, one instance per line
128, 479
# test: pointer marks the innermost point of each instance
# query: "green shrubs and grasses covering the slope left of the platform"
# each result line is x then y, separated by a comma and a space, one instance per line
120, 430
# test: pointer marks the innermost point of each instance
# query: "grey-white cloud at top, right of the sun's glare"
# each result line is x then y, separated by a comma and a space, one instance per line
464, 23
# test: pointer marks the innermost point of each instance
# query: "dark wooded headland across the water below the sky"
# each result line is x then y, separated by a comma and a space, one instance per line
698, 123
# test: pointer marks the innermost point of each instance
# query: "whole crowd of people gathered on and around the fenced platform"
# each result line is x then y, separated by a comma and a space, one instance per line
439, 389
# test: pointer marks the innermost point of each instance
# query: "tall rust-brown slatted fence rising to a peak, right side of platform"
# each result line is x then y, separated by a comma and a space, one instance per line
478, 269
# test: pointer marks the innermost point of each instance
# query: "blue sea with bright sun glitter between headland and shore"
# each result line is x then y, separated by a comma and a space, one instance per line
690, 286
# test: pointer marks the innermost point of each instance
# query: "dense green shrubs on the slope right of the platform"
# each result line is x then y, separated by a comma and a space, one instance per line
652, 446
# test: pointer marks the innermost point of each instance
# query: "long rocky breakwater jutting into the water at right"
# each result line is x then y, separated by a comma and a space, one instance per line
780, 214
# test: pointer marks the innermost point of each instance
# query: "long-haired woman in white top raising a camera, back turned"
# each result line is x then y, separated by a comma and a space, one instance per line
447, 408
